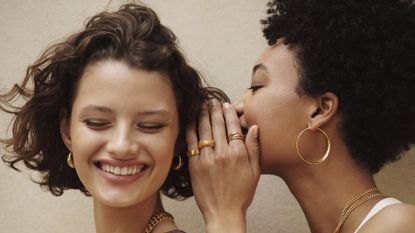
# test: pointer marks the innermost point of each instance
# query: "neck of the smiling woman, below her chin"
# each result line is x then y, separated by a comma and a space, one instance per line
130, 219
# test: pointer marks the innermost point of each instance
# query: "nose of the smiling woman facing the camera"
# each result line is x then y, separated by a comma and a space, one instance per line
122, 143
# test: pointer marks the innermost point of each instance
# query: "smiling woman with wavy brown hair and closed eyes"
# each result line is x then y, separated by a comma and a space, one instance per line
105, 112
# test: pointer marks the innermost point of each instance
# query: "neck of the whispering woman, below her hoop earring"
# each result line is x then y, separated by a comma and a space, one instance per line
323, 190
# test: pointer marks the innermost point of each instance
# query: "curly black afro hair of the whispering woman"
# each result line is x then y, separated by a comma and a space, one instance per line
364, 52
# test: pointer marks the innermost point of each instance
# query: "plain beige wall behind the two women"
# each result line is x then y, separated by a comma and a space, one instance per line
221, 38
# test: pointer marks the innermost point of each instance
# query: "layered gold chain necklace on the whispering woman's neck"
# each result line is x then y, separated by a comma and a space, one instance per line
355, 202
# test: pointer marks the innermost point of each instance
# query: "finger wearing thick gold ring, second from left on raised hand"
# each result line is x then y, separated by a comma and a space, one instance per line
205, 130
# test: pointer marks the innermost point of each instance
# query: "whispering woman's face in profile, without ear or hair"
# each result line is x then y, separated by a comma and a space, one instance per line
274, 105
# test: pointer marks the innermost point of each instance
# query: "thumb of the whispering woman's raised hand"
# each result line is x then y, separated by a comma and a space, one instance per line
252, 145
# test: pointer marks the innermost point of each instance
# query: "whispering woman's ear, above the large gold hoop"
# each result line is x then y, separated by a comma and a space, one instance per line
324, 109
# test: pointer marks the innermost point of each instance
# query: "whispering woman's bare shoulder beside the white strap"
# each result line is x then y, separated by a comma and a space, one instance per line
397, 218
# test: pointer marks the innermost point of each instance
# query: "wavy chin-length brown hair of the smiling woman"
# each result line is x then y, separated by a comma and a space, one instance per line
132, 35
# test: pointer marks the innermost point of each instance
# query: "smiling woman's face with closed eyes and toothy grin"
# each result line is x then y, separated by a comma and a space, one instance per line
122, 132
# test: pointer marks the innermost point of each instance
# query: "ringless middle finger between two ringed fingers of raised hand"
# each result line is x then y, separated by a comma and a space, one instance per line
218, 124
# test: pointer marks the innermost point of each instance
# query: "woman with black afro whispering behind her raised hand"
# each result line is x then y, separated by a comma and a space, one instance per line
330, 103
